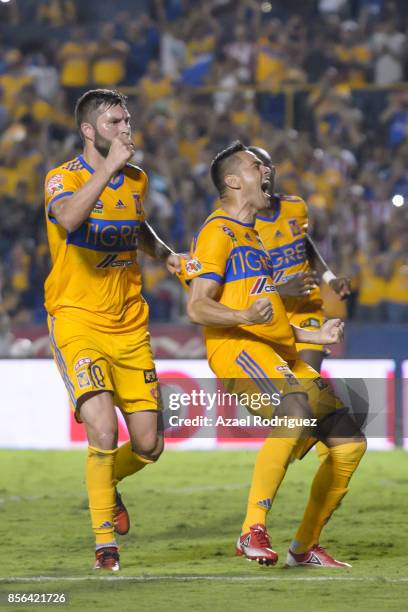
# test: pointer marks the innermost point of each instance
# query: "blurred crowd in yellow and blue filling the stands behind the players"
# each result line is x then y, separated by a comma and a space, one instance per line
318, 83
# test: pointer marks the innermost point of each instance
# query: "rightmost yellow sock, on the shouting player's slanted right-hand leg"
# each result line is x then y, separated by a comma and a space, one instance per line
328, 489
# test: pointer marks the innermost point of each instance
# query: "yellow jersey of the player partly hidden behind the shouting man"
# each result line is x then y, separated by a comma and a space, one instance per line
284, 236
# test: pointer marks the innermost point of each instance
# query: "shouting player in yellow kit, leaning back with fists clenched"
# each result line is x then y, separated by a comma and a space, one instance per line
251, 345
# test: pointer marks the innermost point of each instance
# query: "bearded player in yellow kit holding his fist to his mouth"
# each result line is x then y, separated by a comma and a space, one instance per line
97, 316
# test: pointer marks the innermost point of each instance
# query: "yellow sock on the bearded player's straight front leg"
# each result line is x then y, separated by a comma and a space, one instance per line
101, 492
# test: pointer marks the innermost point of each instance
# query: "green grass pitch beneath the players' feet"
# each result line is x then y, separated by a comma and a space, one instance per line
186, 513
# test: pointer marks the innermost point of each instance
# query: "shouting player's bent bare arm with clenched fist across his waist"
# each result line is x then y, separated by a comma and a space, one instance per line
203, 308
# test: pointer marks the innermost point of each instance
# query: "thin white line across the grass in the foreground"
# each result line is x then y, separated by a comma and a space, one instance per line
213, 578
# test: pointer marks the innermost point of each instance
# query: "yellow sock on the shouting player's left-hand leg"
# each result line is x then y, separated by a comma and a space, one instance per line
270, 468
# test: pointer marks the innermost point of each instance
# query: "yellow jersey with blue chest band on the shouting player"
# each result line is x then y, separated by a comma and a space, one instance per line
231, 253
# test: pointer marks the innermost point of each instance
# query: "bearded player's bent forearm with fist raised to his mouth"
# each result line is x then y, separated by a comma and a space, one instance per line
72, 211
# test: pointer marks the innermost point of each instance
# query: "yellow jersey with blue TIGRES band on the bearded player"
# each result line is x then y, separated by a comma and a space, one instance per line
95, 277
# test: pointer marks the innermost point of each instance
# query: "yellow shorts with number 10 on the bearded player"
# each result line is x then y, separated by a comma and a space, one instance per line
92, 361
